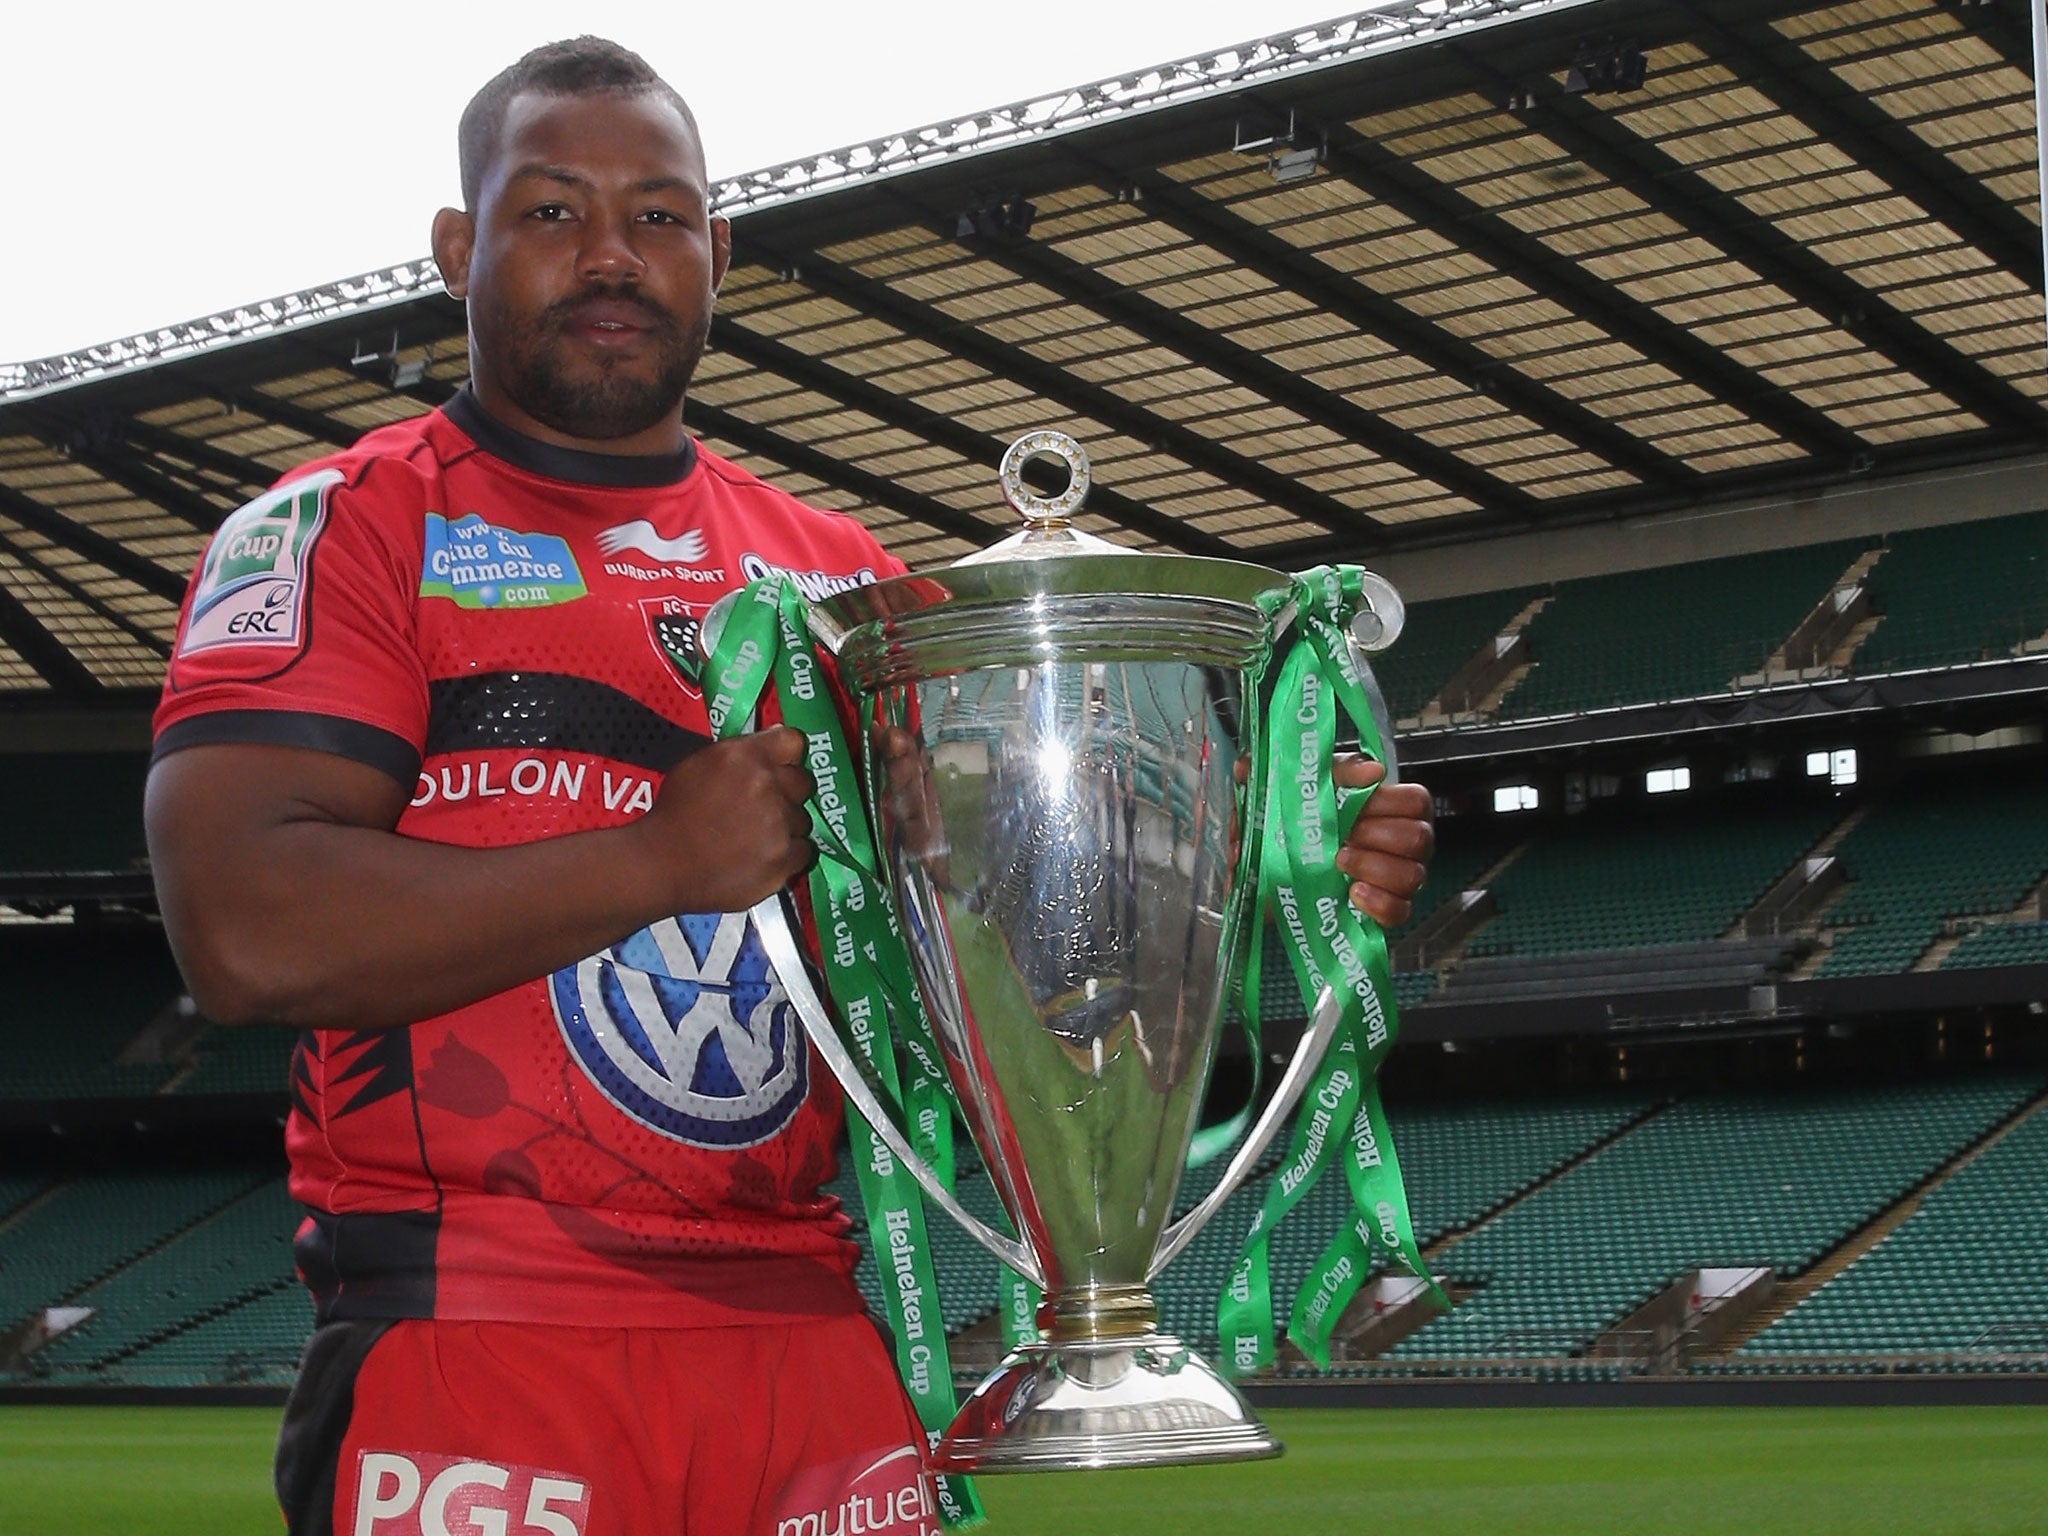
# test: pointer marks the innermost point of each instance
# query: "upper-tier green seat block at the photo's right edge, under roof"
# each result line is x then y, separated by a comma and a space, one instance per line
1961, 593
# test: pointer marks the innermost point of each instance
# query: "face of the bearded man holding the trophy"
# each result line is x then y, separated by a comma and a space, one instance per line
593, 265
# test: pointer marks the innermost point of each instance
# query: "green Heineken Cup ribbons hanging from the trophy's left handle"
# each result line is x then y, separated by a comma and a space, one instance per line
867, 972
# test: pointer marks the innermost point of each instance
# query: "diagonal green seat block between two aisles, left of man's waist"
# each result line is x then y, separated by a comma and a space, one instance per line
239, 1252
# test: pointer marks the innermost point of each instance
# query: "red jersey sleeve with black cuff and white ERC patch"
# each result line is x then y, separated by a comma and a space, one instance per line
300, 624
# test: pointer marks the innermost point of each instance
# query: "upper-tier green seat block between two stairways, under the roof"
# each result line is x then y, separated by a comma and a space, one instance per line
1680, 632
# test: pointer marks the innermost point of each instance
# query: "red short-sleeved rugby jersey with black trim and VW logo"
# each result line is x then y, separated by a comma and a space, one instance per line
493, 622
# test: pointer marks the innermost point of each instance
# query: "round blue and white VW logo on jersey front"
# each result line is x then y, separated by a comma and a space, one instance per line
689, 1031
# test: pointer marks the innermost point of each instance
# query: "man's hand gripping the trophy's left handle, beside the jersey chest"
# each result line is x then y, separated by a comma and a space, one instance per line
730, 826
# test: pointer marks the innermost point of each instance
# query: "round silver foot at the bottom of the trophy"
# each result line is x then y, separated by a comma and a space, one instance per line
1136, 1402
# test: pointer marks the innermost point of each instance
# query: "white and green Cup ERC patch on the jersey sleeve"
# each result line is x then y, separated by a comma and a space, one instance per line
253, 583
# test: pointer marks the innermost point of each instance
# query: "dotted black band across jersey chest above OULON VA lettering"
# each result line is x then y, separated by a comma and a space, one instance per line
552, 710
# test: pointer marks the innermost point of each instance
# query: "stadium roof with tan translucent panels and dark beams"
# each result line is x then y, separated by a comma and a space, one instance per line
1428, 273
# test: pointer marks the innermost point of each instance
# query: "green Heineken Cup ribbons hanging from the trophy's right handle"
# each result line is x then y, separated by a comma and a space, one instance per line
1302, 824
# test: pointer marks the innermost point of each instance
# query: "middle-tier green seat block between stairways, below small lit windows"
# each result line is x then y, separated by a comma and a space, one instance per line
1676, 880
